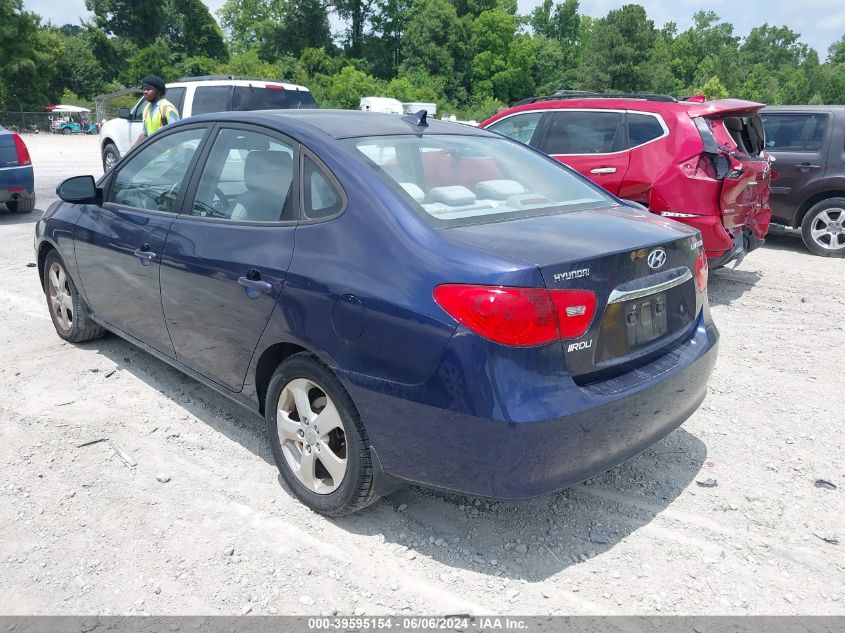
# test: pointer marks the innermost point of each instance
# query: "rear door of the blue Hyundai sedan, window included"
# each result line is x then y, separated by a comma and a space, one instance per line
226, 257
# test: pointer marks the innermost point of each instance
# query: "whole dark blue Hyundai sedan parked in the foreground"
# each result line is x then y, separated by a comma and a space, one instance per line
405, 301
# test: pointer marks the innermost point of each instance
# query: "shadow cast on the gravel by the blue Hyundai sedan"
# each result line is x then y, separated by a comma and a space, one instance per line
528, 540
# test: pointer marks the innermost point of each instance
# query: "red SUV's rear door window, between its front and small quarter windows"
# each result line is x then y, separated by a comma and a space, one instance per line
582, 132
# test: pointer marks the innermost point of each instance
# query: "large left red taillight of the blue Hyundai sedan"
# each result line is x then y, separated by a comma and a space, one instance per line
518, 316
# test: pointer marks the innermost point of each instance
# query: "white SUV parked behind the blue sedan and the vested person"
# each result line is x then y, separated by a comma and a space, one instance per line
200, 95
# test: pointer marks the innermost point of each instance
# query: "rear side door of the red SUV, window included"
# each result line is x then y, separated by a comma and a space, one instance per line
590, 141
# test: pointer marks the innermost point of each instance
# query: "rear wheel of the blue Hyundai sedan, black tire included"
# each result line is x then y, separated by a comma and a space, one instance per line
303, 381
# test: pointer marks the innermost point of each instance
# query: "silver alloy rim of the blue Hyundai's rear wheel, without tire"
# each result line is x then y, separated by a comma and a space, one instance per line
312, 436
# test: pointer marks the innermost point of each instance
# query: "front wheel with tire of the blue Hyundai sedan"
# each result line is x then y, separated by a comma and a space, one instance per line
70, 315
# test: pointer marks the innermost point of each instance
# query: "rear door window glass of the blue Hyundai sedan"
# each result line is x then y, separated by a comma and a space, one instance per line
247, 177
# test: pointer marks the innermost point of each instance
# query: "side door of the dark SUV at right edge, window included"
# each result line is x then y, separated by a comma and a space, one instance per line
798, 142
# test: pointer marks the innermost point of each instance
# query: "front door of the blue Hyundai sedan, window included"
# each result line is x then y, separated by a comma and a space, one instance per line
119, 243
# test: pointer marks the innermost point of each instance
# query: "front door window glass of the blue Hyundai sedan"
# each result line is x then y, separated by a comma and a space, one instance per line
153, 179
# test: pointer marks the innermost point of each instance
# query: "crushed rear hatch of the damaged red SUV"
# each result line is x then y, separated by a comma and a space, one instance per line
734, 141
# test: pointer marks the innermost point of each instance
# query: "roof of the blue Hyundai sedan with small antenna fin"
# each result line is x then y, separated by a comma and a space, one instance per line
341, 124
